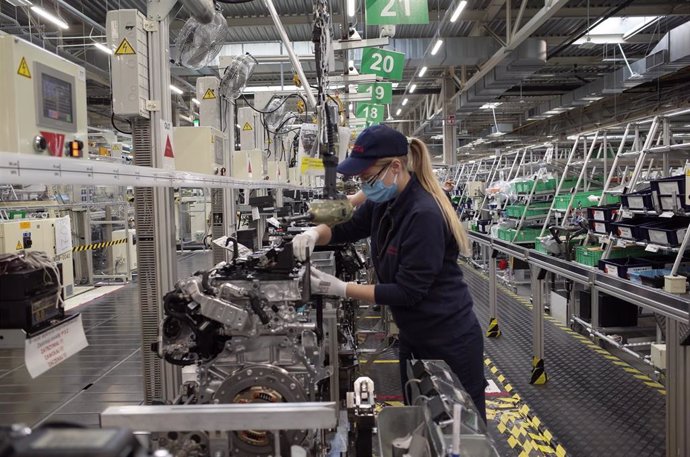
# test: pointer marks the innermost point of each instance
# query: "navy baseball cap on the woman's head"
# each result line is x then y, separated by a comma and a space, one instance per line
374, 143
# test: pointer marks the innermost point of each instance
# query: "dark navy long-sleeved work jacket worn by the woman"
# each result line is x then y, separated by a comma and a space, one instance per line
416, 259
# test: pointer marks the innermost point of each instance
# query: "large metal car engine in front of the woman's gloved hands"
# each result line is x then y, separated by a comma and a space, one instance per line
246, 336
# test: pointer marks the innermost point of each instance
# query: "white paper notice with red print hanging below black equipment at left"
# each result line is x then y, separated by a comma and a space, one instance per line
43, 352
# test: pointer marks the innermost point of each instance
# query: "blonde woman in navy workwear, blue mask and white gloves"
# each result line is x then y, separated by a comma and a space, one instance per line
415, 241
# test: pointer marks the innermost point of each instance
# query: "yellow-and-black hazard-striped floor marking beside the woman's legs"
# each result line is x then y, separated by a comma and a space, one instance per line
524, 431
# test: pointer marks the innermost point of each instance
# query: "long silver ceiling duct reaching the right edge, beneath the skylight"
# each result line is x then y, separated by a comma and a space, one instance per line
670, 55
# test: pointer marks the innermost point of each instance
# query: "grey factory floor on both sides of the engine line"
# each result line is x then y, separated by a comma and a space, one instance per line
593, 404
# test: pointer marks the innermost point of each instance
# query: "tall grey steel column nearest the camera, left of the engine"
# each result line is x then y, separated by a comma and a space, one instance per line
157, 261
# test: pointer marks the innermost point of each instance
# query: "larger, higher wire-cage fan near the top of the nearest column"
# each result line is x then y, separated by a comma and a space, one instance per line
198, 44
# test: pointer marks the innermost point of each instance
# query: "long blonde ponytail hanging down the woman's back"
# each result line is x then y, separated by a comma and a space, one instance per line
420, 164
